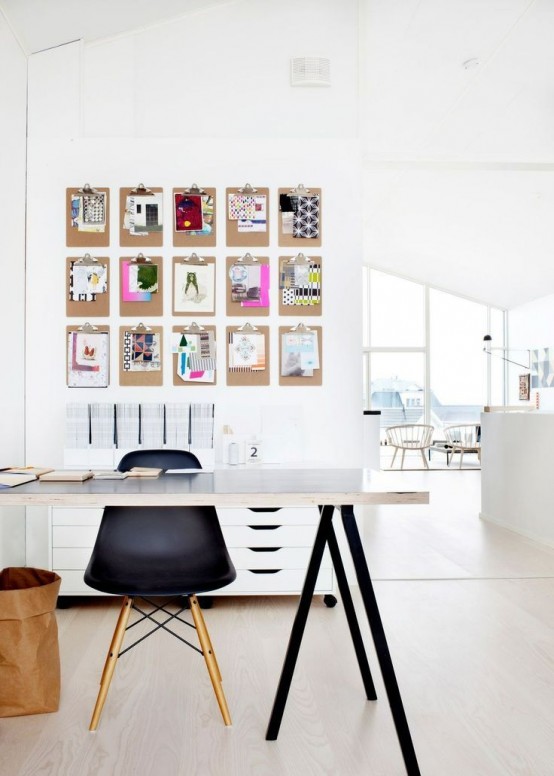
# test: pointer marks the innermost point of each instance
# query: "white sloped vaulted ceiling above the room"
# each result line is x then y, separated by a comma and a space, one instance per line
456, 126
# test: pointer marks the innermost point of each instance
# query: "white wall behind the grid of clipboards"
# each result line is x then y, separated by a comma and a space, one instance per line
206, 101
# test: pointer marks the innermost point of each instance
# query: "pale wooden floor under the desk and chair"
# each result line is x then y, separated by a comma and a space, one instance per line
469, 614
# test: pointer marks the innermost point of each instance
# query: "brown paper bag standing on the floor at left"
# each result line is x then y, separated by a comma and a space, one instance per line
29, 653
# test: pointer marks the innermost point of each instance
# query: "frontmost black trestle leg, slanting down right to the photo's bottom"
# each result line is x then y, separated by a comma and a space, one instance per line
380, 641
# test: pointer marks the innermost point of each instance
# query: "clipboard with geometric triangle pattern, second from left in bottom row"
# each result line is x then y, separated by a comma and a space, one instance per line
140, 343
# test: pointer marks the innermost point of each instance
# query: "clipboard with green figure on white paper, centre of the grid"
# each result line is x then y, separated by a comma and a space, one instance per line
194, 286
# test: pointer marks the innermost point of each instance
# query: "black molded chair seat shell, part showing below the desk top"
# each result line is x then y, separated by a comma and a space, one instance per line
165, 564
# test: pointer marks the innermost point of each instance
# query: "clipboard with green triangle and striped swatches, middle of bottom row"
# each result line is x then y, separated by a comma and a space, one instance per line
194, 353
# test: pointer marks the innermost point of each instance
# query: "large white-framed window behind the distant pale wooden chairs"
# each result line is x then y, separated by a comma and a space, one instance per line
423, 353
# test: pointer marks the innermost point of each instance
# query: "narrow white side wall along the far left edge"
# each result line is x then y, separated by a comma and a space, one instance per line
13, 87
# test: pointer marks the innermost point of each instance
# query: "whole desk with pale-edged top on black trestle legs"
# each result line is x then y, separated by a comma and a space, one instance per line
329, 489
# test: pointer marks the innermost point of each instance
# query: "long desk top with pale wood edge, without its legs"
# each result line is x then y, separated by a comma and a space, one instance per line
255, 487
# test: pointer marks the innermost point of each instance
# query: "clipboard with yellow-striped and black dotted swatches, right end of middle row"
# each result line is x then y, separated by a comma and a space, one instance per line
304, 299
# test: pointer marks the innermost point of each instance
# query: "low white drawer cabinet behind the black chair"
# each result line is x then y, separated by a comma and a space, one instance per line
269, 547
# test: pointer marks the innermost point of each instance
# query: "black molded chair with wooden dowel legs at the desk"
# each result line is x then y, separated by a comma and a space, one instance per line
145, 552
